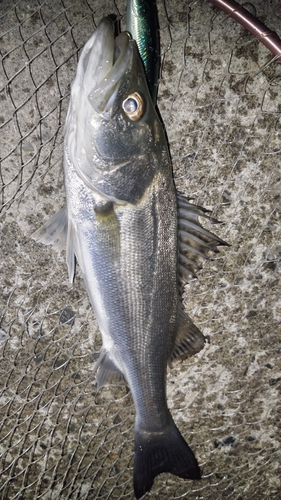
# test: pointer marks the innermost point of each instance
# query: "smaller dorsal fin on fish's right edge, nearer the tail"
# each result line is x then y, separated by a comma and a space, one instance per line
189, 340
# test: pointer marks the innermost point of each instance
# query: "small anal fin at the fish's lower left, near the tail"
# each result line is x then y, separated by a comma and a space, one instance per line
108, 373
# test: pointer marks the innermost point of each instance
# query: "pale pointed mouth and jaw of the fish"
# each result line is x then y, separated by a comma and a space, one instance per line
104, 62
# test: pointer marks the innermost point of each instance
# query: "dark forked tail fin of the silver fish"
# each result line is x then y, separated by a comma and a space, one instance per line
162, 452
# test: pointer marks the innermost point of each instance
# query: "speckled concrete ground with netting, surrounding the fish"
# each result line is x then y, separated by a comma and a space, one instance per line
220, 100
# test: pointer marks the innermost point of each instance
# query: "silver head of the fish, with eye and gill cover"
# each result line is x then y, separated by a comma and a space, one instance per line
112, 128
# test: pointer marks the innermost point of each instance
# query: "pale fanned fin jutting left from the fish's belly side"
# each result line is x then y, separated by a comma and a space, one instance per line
54, 231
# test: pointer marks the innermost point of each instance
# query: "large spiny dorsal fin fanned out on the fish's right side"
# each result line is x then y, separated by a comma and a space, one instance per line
195, 242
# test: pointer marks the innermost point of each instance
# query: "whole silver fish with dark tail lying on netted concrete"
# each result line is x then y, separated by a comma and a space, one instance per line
135, 240
